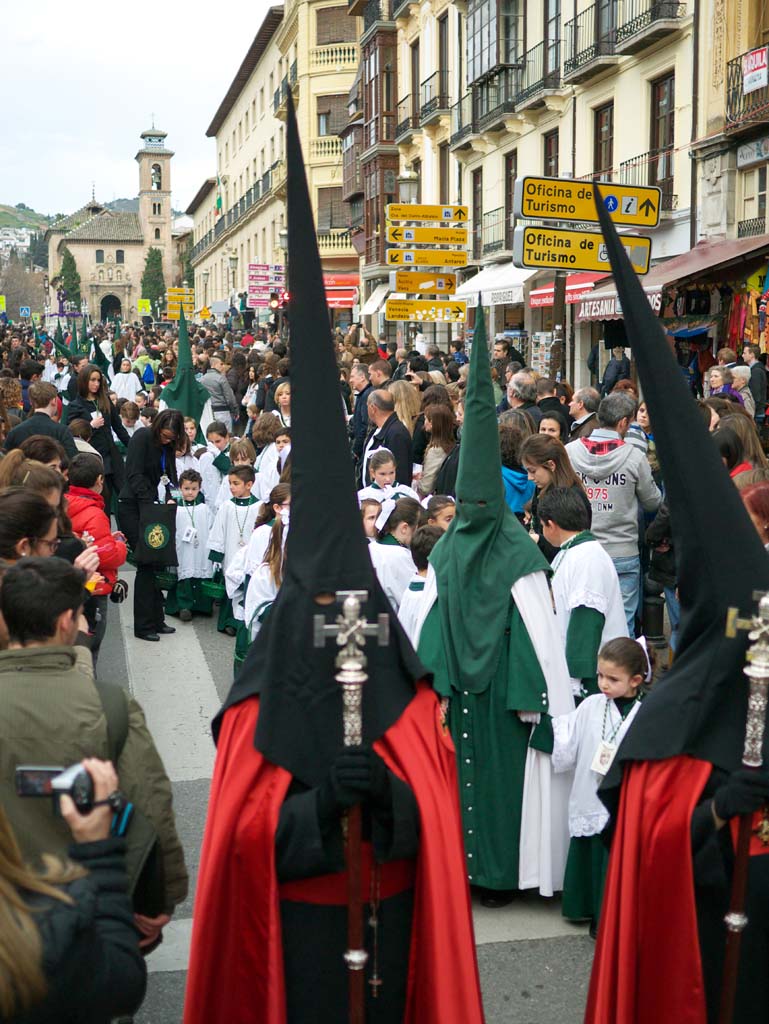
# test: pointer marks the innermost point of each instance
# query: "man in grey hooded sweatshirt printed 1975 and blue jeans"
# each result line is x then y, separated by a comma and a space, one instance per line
617, 477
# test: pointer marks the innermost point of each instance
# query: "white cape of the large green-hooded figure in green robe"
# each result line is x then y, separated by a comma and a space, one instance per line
544, 832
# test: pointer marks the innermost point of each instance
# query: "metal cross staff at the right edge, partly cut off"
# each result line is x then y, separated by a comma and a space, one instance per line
757, 671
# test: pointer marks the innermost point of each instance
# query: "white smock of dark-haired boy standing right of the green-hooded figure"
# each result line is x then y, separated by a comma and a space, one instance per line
586, 577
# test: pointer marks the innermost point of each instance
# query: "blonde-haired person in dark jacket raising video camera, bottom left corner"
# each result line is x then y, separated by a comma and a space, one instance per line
69, 948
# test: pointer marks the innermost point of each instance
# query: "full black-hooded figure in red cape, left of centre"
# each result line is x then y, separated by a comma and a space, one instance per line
271, 909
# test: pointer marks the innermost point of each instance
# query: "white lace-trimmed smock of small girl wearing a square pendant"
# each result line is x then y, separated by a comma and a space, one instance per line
577, 738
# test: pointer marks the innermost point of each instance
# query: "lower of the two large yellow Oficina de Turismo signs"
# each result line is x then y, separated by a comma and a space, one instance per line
562, 249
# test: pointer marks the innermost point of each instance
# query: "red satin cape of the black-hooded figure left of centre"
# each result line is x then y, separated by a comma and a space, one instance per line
236, 969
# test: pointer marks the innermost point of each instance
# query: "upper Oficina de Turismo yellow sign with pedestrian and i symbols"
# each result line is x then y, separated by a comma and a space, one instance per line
562, 199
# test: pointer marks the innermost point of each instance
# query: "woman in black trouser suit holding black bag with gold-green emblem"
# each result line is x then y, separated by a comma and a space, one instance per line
151, 461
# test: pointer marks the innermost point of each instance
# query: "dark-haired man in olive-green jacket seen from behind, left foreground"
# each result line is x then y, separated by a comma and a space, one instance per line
53, 713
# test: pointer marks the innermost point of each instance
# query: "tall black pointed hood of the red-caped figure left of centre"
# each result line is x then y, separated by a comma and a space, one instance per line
301, 716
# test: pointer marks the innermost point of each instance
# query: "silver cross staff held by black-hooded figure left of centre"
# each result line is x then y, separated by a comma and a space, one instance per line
351, 631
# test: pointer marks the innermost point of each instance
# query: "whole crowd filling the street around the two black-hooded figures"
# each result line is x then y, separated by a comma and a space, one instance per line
93, 453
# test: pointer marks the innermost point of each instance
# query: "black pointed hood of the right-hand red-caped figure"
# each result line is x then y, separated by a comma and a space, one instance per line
700, 707
